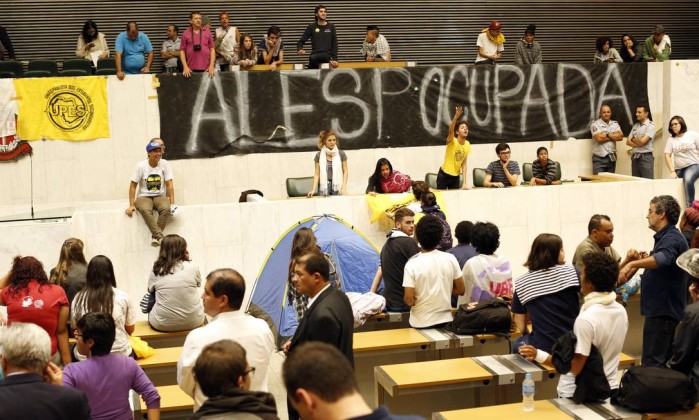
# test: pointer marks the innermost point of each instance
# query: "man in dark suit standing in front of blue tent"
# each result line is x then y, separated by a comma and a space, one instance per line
329, 315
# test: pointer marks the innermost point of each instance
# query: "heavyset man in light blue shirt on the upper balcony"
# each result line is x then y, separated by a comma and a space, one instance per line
130, 49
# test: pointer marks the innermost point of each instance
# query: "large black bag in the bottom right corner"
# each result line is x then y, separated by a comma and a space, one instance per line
655, 390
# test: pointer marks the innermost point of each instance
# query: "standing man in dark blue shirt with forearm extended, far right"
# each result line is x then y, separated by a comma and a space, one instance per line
663, 283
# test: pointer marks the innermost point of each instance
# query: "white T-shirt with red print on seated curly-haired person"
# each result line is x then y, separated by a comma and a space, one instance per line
485, 277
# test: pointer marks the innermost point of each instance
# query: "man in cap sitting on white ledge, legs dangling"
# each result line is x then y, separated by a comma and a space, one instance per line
153, 178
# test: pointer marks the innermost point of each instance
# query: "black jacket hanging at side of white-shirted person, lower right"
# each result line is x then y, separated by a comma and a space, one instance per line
591, 383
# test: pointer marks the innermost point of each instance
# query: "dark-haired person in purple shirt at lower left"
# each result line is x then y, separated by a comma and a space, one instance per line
106, 378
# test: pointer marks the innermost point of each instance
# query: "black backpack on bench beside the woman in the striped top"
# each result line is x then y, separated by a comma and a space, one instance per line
486, 317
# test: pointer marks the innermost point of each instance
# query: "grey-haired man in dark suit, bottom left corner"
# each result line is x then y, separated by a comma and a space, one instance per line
26, 350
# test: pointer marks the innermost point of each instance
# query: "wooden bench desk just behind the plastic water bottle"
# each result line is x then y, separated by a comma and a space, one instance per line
481, 381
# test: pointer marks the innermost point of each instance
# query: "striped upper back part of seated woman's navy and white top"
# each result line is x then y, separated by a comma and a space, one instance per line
545, 282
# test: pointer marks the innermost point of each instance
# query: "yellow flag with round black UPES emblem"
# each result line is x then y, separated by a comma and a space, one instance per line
62, 108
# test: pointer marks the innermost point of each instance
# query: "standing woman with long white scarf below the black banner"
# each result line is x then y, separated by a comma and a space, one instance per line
330, 177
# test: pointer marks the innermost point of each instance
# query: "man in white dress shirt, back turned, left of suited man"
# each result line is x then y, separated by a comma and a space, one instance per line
222, 298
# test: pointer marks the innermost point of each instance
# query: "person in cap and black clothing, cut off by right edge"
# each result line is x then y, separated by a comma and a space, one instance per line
685, 353
